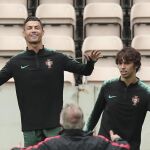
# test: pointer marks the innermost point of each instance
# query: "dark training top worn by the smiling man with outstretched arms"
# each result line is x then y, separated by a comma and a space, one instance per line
39, 79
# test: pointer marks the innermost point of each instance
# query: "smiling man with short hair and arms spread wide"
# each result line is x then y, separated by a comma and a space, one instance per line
39, 77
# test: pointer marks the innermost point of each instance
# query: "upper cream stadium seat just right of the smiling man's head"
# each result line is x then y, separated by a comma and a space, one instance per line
59, 19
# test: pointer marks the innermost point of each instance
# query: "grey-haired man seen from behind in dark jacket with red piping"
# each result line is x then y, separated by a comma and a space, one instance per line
74, 138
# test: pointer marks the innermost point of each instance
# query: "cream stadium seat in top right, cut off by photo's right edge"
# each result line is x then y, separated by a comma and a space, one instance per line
140, 19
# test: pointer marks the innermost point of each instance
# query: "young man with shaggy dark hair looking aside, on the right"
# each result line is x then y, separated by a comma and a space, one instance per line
124, 101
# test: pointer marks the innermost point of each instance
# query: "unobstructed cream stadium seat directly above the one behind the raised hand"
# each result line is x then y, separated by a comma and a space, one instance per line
102, 19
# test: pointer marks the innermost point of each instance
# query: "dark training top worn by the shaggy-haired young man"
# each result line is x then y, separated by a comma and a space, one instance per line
124, 109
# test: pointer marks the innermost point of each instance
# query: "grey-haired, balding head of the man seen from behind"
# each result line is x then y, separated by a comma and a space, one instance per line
71, 117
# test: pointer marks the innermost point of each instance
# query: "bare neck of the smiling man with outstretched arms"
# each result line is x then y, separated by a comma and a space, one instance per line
35, 47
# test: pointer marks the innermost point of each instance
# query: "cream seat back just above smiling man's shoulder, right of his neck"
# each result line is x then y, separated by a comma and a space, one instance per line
63, 44
